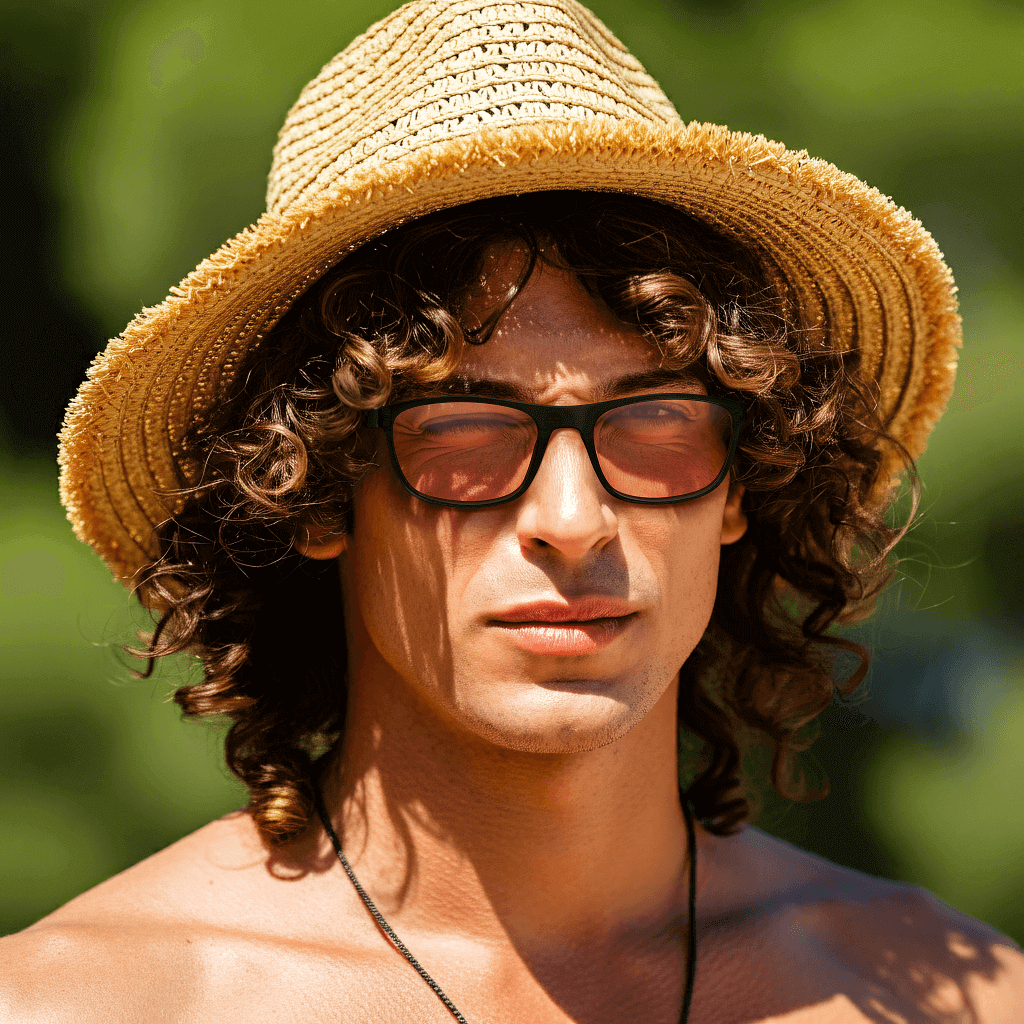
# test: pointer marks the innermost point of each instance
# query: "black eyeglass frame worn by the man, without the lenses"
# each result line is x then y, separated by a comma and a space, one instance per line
583, 419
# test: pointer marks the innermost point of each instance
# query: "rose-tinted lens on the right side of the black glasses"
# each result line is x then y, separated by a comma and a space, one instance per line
667, 448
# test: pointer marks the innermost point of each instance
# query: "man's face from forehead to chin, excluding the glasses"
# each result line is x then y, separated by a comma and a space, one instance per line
460, 609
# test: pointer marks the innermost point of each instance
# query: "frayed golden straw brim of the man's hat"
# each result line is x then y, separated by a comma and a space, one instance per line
857, 271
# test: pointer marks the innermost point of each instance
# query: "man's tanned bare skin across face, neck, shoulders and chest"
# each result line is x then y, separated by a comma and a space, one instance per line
514, 814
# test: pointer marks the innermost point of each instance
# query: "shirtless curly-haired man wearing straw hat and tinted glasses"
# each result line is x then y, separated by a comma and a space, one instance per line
530, 436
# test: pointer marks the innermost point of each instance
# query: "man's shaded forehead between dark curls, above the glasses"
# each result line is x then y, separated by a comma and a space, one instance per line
554, 335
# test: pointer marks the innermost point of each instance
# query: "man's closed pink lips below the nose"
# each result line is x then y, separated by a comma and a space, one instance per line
565, 629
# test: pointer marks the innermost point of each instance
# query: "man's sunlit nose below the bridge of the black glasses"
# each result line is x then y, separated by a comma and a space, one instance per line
566, 507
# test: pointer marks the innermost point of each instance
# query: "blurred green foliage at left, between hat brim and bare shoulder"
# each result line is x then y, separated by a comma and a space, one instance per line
97, 769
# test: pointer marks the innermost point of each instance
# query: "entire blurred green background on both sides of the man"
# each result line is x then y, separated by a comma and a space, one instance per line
138, 139
